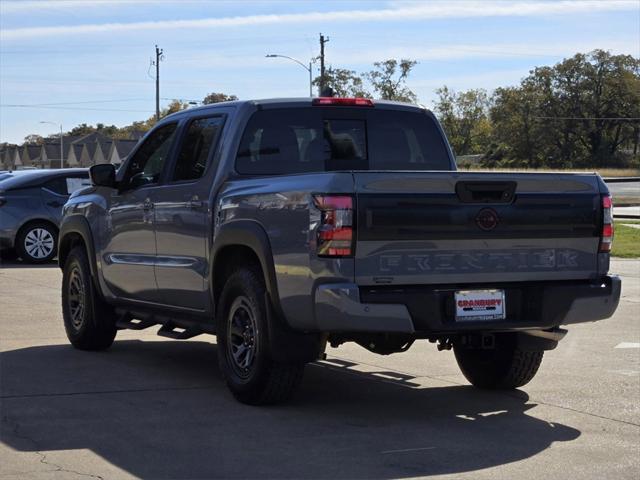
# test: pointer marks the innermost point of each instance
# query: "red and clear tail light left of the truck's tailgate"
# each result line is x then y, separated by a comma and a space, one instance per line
335, 235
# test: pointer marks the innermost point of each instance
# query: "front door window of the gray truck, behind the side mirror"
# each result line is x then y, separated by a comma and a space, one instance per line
147, 163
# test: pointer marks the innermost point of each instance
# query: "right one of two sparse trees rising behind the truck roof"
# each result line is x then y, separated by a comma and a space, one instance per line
389, 78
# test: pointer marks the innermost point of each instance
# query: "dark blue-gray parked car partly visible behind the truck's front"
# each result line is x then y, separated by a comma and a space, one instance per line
31, 208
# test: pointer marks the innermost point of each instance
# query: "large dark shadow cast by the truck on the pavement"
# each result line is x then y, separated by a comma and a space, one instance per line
158, 409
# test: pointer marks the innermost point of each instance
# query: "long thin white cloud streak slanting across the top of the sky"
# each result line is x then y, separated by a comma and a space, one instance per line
403, 12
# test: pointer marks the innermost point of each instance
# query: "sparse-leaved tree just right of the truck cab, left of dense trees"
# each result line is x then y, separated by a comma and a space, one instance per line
464, 117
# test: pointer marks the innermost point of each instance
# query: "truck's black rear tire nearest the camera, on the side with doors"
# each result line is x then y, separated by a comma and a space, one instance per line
264, 381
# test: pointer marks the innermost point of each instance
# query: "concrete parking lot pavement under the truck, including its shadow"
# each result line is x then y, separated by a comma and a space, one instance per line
158, 409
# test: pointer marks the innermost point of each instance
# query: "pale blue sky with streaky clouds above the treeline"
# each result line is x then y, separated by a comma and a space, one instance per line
88, 61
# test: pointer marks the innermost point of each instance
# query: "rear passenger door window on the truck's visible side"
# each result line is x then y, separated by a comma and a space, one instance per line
197, 147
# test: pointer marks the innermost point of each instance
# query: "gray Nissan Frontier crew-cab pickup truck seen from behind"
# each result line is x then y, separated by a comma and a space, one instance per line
283, 226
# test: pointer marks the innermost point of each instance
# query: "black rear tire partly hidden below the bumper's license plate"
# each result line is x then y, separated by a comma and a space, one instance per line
504, 367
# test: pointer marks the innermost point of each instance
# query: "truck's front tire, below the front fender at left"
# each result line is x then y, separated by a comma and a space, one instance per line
88, 320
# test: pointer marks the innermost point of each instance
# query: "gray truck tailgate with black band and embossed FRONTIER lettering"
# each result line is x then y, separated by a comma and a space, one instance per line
460, 228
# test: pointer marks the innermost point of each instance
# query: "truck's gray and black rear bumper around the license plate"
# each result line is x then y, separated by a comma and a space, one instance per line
421, 310
